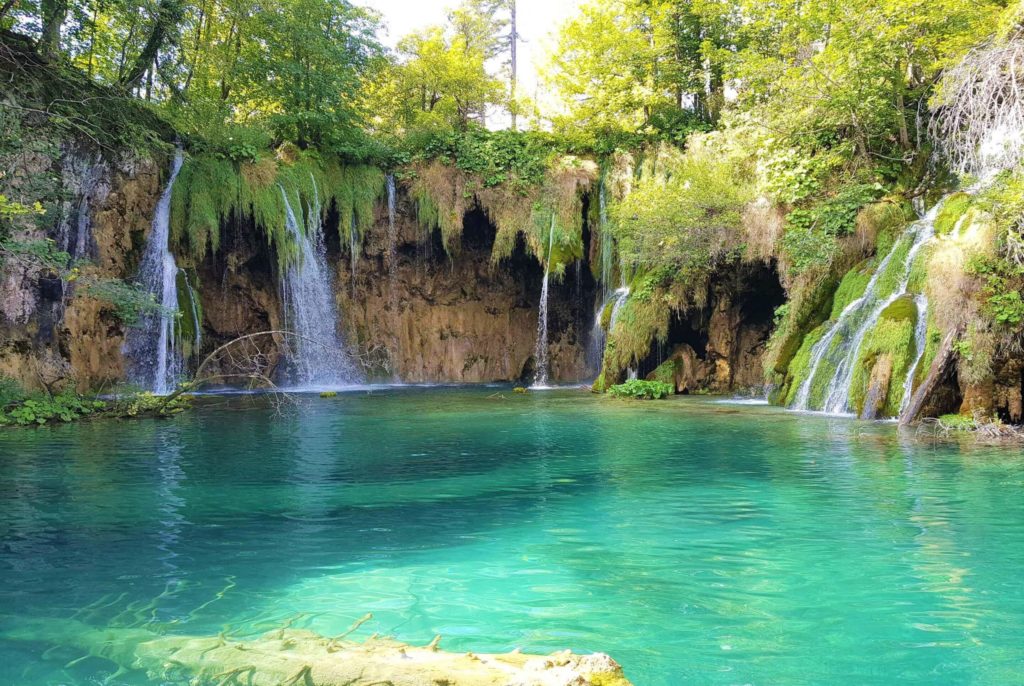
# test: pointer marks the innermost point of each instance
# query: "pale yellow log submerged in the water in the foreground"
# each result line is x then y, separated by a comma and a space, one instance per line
304, 658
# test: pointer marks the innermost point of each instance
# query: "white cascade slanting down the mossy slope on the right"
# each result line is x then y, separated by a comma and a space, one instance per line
842, 342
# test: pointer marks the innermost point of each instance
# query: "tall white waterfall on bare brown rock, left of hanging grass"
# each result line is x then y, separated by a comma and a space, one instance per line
155, 364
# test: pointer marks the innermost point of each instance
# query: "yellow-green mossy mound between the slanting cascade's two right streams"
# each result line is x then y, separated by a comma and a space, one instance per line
893, 335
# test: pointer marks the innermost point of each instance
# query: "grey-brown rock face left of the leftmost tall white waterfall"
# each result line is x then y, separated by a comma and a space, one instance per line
53, 333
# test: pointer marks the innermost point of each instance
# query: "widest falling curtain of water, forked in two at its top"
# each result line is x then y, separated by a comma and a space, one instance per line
318, 358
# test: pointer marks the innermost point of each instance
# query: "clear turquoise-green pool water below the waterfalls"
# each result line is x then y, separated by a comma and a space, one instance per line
695, 542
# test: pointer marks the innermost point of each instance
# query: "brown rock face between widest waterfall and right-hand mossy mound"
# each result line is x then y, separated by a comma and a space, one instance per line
419, 316
